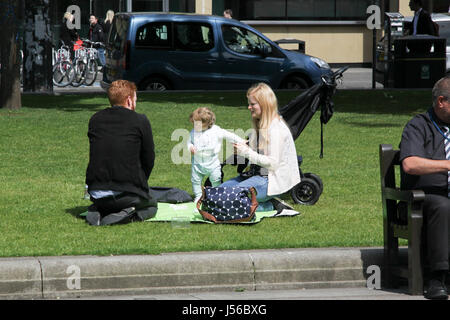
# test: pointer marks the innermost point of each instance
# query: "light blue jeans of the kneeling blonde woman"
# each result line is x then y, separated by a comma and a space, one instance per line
260, 184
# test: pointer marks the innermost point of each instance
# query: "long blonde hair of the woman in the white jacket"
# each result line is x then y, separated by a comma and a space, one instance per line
268, 103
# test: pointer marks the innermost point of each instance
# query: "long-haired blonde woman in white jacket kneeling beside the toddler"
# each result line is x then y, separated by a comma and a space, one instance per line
271, 152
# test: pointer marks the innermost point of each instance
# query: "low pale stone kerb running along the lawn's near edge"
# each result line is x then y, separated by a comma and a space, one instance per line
197, 275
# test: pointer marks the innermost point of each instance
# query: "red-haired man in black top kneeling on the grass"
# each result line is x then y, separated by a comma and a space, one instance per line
121, 158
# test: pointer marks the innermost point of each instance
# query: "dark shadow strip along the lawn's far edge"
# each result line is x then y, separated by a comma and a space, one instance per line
383, 101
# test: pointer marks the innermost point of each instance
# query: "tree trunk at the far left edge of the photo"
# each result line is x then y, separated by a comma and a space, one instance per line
10, 58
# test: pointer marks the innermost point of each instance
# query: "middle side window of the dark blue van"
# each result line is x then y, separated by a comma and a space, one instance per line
193, 36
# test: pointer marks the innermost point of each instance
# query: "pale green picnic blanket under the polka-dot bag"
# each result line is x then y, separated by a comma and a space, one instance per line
188, 211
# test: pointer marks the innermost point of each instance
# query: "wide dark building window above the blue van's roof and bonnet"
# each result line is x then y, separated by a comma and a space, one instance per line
300, 9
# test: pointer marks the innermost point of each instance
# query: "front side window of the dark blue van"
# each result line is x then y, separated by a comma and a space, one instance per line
241, 40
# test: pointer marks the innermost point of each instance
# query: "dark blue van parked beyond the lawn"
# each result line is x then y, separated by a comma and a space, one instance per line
161, 51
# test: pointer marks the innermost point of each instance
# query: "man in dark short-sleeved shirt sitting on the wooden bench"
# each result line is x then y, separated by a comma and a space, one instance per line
425, 156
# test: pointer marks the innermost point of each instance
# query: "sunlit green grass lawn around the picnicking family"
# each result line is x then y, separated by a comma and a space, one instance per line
44, 153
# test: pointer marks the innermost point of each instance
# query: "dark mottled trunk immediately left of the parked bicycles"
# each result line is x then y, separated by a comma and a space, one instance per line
37, 47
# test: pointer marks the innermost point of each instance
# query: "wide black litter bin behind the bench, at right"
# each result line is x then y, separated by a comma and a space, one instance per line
419, 61
